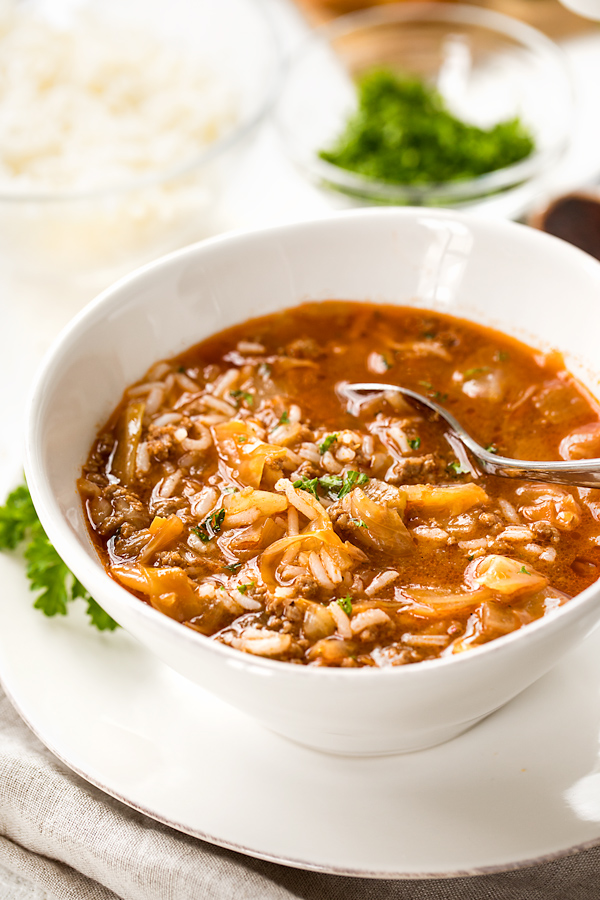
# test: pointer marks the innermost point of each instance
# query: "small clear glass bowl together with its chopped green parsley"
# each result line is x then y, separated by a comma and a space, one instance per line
435, 104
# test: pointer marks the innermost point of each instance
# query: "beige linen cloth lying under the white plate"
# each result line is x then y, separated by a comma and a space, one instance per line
62, 839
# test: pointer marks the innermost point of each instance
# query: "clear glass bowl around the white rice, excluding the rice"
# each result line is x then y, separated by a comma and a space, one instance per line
118, 223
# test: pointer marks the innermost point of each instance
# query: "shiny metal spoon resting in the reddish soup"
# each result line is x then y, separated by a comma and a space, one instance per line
583, 473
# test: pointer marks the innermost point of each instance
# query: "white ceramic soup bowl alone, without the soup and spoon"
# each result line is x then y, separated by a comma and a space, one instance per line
508, 276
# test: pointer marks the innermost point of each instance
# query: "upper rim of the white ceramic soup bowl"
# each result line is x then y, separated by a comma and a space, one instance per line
88, 569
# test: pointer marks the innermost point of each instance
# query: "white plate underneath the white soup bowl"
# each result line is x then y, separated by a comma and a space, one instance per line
521, 787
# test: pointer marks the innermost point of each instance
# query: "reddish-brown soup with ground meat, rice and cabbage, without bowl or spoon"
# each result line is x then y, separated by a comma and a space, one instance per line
237, 490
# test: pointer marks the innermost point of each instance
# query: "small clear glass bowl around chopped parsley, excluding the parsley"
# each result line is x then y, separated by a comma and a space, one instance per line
487, 67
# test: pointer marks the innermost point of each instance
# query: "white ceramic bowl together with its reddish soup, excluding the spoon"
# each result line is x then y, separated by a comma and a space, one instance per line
332, 564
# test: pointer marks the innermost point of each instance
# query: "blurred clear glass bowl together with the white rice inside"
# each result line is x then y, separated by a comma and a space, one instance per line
120, 124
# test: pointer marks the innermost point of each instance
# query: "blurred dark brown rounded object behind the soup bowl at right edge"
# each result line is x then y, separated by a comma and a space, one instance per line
574, 218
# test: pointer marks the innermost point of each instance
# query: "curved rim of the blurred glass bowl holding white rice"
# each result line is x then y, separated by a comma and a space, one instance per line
233, 135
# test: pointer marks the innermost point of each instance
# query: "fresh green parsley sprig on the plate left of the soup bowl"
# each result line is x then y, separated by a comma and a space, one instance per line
48, 574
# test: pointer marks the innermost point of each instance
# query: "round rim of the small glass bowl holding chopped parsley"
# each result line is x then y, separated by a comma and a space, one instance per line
430, 10
